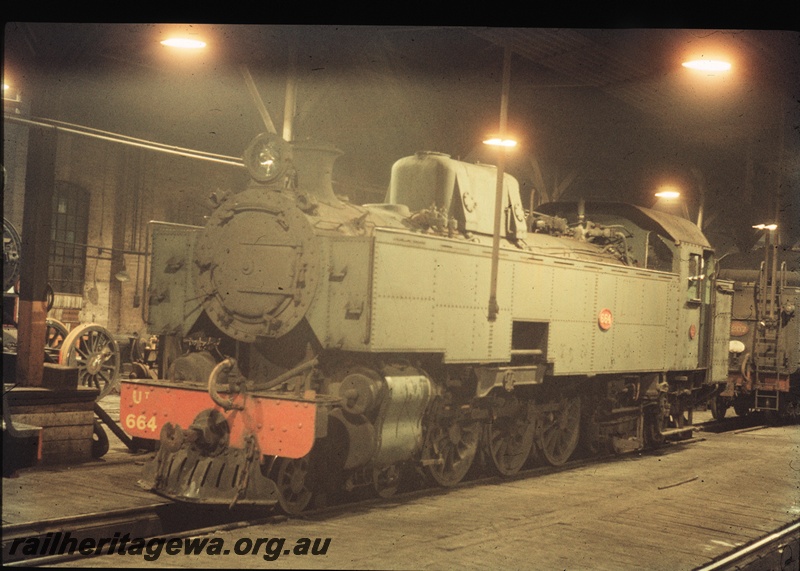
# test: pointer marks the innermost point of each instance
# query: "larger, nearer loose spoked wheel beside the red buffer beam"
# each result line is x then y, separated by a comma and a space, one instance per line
92, 349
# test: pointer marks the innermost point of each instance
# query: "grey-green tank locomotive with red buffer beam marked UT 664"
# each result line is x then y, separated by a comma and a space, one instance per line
308, 344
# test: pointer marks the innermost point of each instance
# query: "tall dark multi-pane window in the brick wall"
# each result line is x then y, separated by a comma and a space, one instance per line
68, 233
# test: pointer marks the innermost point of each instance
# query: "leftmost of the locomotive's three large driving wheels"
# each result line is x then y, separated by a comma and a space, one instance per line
450, 448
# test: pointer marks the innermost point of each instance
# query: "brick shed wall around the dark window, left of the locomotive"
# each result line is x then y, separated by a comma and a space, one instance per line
128, 186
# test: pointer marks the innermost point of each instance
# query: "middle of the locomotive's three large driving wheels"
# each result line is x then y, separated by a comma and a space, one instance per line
509, 441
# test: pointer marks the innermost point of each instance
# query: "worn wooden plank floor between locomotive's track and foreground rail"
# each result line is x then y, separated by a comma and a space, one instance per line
677, 509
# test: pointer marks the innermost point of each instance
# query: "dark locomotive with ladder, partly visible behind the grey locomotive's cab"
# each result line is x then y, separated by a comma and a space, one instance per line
765, 334
